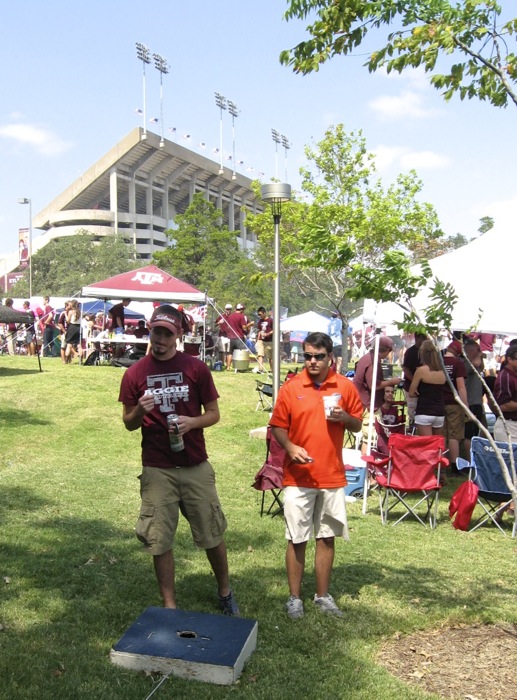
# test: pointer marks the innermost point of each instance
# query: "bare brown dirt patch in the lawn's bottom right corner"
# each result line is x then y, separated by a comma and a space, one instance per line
477, 662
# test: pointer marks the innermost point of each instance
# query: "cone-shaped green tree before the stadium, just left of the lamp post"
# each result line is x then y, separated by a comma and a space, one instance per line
205, 253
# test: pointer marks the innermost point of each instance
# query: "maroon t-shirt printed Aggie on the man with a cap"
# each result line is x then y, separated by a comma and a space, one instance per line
181, 385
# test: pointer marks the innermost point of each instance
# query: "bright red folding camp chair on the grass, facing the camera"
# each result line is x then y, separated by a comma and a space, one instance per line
412, 468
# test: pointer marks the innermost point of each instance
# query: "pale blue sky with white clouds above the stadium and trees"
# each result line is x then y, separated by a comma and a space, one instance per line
72, 85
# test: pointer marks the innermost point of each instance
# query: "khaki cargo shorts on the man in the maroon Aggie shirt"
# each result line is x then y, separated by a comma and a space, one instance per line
165, 492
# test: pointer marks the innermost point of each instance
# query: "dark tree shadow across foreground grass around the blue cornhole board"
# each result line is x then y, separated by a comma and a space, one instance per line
75, 586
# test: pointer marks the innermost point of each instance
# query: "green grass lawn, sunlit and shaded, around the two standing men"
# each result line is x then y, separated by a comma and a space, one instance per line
73, 577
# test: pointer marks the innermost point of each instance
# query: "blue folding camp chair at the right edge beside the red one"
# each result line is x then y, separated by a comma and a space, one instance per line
485, 472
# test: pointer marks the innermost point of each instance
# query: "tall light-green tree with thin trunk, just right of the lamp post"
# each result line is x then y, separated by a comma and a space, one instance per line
351, 220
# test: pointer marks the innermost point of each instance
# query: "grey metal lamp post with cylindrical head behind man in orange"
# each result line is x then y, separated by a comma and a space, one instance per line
275, 195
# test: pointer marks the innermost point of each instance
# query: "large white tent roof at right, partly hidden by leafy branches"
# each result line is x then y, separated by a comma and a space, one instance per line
482, 274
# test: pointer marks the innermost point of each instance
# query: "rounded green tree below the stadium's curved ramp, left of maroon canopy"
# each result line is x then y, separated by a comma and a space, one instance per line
65, 265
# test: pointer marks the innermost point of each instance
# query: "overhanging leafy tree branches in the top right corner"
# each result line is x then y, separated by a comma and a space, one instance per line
431, 30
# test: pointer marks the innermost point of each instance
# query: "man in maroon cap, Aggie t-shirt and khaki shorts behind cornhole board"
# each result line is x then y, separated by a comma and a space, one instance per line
162, 383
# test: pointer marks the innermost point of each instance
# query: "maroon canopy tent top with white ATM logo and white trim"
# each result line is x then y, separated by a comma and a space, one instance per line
145, 284
